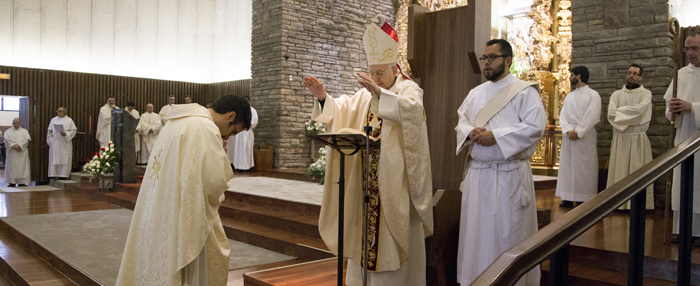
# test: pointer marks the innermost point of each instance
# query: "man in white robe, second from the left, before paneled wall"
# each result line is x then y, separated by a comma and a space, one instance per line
59, 137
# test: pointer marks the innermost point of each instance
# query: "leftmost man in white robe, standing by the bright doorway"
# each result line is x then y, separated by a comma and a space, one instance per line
17, 169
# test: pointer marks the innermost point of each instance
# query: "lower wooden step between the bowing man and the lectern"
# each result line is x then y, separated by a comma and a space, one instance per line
303, 247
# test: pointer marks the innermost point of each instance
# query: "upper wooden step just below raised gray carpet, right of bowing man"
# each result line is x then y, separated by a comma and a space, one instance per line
277, 219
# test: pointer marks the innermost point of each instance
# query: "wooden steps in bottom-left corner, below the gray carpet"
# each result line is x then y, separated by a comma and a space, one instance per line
25, 262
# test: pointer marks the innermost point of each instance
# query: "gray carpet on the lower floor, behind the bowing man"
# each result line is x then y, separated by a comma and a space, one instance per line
94, 241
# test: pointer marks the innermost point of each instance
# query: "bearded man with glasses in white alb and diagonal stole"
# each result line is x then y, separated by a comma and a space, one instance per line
500, 122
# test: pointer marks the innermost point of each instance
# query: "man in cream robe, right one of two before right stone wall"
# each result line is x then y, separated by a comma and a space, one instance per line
629, 113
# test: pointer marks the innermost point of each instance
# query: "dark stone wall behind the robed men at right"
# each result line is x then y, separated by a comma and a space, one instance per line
608, 36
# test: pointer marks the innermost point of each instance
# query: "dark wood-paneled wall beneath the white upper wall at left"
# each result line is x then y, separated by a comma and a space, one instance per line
83, 94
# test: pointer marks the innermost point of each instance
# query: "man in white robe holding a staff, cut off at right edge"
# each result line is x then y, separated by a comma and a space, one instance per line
686, 108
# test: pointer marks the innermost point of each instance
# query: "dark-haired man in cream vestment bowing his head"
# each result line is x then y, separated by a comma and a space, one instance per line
176, 236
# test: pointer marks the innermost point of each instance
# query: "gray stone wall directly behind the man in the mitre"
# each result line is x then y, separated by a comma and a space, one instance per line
292, 39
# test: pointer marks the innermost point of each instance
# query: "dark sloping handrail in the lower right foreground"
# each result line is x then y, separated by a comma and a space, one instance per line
521, 258
